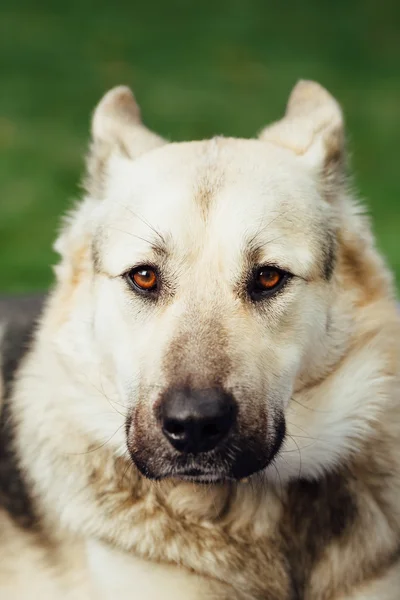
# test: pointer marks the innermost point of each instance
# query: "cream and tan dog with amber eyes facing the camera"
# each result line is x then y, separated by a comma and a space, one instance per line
207, 403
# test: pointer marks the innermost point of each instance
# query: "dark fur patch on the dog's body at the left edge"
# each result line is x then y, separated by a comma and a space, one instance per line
20, 315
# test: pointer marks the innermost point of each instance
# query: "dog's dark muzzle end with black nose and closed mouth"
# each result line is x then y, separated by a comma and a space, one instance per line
197, 435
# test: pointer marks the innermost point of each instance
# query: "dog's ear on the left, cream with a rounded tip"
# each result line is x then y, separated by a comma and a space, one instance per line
116, 129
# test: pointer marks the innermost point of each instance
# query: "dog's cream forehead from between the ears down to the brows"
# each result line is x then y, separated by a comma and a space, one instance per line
226, 189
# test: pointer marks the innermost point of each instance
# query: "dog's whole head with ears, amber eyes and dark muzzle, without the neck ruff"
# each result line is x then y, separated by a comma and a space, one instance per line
204, 274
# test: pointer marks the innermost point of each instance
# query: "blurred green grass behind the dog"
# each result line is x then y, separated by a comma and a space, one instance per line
215, 66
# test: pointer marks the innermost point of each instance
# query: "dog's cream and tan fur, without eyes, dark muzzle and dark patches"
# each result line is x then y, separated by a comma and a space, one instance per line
325, 352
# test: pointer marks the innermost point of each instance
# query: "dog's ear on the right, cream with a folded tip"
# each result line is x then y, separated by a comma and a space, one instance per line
313, 129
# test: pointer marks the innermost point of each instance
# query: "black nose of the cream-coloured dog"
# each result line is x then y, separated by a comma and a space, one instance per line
195, 421
